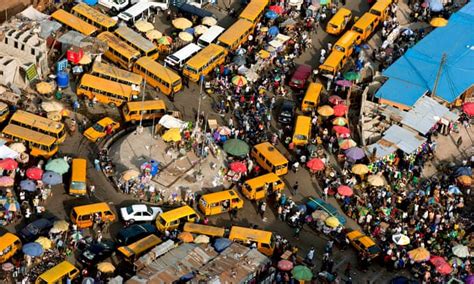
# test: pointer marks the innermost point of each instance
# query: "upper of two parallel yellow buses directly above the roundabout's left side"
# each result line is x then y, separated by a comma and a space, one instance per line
118, 75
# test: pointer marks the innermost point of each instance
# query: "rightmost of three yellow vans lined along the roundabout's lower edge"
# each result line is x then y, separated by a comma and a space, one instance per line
258, 188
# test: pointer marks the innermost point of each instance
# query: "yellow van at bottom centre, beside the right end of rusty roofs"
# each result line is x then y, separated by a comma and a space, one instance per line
263, 239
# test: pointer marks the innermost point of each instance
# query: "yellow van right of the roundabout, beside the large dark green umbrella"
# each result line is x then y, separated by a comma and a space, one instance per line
269, 158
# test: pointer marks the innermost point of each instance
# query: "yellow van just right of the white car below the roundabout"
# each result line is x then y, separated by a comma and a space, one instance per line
172, 219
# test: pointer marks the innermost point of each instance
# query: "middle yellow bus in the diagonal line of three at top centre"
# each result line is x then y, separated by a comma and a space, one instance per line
237, 34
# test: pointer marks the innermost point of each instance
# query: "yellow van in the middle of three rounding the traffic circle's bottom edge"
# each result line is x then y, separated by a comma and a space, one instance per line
220, 202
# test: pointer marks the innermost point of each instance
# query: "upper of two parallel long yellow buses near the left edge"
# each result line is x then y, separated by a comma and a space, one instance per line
39, 124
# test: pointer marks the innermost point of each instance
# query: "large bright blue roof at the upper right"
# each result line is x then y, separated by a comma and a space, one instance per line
416, 70
